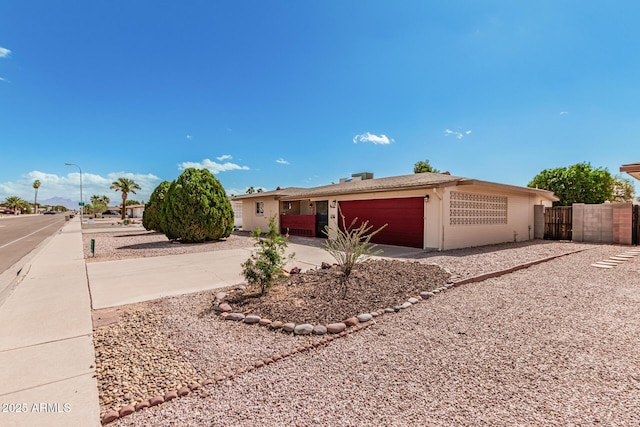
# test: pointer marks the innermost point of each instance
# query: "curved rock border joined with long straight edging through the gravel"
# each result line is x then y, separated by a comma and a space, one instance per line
332, 332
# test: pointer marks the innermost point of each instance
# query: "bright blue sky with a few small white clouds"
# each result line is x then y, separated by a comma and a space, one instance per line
301, 93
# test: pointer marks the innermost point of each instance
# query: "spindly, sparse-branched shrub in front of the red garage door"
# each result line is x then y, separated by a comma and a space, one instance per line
348, 246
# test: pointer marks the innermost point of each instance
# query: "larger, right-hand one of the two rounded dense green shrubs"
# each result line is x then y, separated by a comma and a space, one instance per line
196, 208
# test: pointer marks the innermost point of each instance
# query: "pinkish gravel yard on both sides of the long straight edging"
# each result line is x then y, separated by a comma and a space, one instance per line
554, 344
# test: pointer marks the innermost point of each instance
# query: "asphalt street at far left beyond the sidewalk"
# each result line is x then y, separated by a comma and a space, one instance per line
20, 234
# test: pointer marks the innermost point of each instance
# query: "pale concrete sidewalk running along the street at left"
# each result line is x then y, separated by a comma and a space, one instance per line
47, 360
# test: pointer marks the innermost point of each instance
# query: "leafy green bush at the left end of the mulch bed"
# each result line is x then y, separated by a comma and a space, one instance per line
265, 265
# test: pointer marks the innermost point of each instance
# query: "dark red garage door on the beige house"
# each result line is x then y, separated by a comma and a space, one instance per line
405, 219
